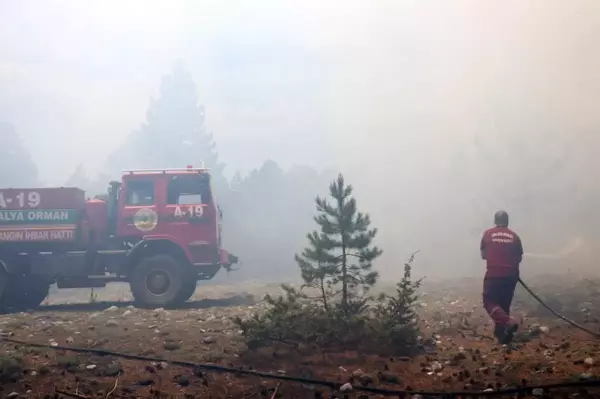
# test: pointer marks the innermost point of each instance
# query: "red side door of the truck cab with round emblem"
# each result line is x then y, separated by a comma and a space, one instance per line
138, 210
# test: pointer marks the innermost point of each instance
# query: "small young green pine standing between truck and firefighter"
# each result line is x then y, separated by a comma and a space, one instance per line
343, 251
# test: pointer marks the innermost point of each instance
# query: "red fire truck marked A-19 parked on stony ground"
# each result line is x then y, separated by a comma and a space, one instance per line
158, 230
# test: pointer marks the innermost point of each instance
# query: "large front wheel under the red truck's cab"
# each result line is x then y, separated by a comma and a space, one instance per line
159, 281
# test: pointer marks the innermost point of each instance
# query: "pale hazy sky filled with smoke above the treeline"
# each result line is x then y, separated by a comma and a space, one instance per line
403, 95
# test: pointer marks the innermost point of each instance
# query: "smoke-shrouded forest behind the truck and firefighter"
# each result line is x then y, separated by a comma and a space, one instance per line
268, 211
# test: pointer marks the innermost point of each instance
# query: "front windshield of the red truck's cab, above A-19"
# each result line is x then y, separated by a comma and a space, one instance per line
188, 190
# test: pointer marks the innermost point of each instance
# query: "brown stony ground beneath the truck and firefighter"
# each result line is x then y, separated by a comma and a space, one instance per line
461, 354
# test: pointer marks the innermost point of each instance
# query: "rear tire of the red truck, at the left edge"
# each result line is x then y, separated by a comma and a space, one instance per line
24, 293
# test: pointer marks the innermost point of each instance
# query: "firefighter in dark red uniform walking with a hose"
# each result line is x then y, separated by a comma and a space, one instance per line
502, 250
